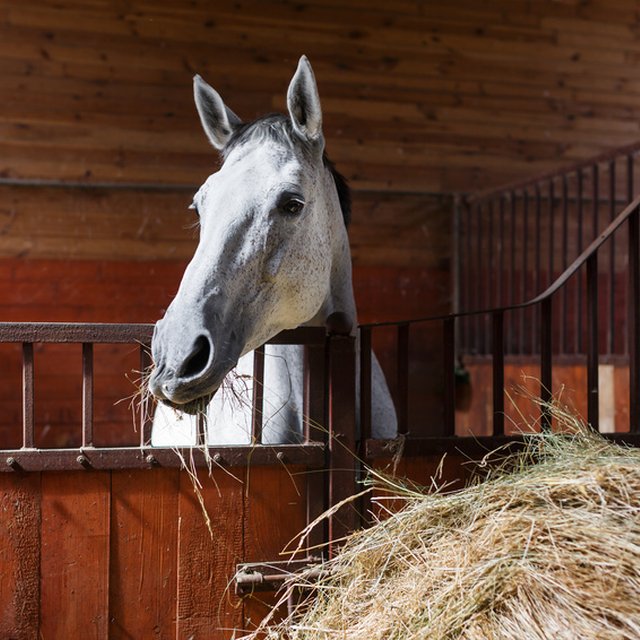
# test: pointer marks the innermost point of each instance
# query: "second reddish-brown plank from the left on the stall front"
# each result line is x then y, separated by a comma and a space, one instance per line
75, 555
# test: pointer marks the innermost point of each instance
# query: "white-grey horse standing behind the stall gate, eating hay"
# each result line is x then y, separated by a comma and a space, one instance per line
273, 254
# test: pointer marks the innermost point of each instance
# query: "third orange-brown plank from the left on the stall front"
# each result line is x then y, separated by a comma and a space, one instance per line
144, 545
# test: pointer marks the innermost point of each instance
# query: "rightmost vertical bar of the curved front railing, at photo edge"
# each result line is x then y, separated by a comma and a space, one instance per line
634, 321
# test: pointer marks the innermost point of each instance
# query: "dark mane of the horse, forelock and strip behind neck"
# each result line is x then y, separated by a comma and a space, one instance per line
278, 128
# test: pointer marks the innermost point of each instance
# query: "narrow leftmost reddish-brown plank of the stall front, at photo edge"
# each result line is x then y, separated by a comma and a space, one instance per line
19, 556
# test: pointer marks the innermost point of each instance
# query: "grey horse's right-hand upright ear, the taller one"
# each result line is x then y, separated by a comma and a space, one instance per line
303, 102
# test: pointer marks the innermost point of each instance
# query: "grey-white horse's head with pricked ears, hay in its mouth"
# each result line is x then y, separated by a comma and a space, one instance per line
273, 251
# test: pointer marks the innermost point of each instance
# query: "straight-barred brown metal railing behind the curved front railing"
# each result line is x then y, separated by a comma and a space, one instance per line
514, 242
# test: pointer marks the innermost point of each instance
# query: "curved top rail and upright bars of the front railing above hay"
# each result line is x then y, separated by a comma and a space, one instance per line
544, 304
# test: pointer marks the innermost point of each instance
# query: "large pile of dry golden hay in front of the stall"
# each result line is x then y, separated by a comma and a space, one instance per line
547, 547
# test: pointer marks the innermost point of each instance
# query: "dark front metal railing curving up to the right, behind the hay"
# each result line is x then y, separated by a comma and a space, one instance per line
544, 333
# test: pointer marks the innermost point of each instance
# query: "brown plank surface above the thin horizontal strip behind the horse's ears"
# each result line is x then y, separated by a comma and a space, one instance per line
437, 96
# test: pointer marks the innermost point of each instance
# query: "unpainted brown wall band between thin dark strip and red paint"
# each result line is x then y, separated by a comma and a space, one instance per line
143, 224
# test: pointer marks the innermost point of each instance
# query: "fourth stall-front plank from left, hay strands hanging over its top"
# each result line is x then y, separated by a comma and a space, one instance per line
206, 606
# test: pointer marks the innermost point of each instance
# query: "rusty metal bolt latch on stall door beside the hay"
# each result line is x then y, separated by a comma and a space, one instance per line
270, 576
